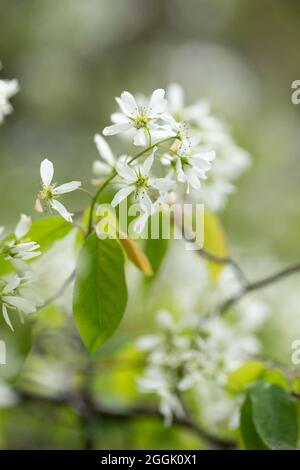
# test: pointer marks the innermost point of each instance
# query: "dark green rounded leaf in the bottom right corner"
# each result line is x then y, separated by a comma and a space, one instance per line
274, 416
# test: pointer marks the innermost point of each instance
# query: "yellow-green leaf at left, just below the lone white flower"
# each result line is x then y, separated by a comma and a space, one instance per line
47, 230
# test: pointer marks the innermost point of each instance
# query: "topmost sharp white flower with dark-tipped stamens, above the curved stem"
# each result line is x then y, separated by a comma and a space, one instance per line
144, 120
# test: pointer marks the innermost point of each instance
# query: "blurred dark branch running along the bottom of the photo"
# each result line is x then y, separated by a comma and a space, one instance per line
97, 410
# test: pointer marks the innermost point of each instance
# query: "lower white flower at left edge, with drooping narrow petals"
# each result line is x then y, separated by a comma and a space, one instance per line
12, 297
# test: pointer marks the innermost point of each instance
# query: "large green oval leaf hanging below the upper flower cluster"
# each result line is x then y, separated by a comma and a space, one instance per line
100, 293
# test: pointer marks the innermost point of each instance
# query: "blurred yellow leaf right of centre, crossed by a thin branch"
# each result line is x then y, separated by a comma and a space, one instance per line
214, 242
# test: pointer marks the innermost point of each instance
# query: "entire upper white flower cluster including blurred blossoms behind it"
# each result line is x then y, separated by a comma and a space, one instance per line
190, 151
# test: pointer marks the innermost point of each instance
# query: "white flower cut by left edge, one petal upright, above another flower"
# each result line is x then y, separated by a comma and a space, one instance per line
17, 248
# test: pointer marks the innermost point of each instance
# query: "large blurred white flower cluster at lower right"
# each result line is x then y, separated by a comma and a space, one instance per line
193, 354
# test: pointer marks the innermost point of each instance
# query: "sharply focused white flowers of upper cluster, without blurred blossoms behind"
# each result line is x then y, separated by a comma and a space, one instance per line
151, 125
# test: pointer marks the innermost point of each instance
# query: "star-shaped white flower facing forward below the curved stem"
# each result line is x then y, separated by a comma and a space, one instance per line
137, 180
